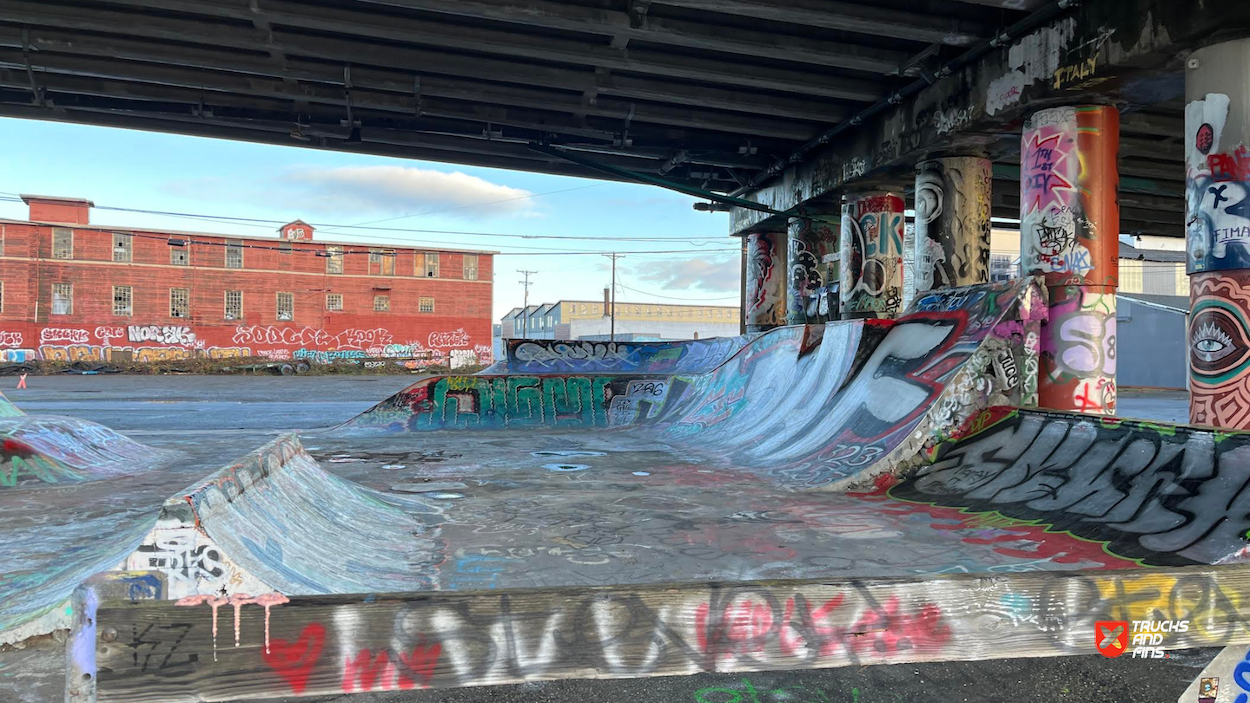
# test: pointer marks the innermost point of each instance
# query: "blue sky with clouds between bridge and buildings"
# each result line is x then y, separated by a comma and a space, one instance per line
184, 174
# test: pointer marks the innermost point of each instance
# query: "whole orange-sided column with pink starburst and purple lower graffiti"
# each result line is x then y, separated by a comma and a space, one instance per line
1071, 235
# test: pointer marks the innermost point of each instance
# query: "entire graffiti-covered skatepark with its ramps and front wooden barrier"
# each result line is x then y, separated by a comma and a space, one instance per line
822, 496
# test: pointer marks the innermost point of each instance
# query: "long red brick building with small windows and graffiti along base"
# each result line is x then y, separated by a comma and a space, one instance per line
74, 291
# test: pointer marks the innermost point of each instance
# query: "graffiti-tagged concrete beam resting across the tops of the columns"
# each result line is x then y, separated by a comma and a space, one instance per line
1107, 52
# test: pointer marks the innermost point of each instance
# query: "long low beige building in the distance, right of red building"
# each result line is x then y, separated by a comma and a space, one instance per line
636, 322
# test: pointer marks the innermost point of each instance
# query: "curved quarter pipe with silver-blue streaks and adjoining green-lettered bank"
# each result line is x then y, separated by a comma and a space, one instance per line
819, 406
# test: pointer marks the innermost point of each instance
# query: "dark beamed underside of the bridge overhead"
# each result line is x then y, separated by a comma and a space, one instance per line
727, 96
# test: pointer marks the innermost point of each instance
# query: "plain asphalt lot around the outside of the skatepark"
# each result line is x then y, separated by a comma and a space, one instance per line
212, 415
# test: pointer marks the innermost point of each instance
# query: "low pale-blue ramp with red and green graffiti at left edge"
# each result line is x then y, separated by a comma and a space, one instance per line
53, 450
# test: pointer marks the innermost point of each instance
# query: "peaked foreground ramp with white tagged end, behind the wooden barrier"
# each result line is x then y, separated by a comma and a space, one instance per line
274, 521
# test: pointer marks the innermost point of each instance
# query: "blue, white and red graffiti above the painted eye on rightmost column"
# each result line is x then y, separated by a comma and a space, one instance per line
1218, 191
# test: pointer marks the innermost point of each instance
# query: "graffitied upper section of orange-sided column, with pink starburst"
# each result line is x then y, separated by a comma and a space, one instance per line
1063, 181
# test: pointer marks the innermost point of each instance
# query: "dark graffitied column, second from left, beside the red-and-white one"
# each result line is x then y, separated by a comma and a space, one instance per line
812, 291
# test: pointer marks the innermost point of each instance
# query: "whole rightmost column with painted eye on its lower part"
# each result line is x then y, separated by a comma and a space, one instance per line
1218, 233
